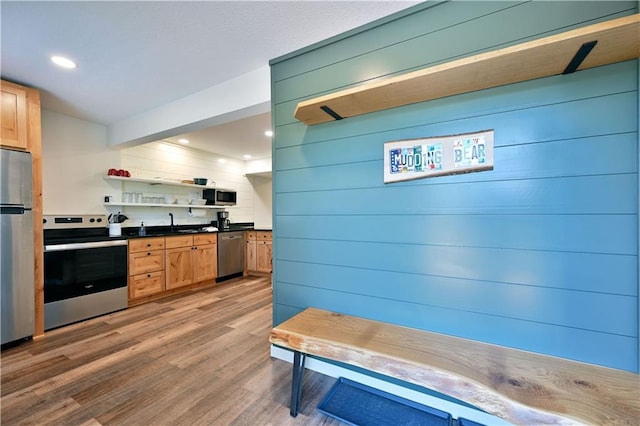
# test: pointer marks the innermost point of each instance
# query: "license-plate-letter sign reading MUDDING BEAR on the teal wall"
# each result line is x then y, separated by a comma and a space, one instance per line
438, 156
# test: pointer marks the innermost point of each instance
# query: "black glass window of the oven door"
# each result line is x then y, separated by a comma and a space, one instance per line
73, 273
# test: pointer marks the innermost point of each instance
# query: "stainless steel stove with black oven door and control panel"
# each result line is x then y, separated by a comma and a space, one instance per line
85, 270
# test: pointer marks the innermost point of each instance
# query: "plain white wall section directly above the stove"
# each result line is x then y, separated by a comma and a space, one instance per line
75, 158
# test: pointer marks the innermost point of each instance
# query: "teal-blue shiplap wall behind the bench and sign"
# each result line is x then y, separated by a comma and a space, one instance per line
539, 254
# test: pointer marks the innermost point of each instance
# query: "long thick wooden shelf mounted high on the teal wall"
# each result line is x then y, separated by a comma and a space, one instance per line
616, 40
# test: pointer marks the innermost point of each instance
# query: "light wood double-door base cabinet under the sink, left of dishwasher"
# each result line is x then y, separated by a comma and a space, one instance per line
190, 259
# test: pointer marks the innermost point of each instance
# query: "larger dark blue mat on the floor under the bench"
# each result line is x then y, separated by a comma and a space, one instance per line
361, 405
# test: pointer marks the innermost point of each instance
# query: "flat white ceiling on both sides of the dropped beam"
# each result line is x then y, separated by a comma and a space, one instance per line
134, 56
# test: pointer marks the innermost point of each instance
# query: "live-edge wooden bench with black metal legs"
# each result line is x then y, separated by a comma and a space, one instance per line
521, 387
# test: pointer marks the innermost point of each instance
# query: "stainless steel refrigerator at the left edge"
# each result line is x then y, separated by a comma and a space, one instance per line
16, 246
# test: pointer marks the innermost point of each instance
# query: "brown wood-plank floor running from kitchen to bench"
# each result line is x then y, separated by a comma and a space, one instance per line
199, 358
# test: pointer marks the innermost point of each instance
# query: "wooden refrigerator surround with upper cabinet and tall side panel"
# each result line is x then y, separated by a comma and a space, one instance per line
22, 130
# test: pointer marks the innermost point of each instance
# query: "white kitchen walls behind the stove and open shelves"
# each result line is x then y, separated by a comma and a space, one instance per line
76, 158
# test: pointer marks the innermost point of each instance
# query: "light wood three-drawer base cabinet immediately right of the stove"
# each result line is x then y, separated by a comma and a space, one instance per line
146, 267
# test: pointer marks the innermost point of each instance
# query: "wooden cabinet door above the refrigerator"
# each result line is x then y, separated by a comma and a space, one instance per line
14, 117
